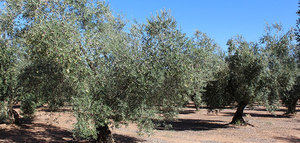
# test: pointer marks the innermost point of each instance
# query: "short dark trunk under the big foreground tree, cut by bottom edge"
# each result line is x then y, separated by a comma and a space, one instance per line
104, 135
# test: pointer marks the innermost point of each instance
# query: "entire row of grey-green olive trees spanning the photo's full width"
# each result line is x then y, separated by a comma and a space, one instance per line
54, 52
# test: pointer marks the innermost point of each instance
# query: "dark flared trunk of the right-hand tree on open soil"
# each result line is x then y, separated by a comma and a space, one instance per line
238, 115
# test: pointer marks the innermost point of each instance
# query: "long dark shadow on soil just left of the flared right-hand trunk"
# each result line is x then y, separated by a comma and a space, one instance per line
191, 124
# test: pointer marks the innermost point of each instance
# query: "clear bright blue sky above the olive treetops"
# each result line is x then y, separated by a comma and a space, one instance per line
220, 19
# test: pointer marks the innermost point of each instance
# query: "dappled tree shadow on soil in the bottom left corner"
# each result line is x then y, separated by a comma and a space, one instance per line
28, 133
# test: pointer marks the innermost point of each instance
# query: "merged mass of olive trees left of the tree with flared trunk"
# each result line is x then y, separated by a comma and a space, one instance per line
53, 52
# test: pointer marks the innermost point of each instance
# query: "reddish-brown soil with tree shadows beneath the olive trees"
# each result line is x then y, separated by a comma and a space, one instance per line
190, 127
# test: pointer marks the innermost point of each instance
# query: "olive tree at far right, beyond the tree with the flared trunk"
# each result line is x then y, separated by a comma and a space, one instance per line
282, 60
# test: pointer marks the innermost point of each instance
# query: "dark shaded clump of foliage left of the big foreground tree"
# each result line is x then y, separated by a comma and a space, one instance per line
46, 81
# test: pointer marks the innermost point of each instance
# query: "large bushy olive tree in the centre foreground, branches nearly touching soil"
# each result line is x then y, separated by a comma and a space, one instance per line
134, 77
